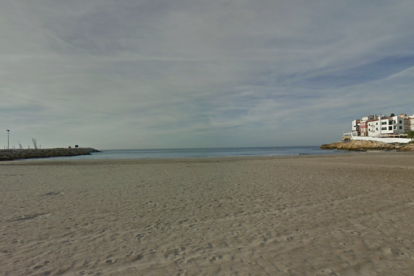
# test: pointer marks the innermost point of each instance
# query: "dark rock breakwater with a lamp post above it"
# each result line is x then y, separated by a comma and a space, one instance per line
13, 154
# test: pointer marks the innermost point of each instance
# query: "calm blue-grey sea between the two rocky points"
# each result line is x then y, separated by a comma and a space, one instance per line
206, 152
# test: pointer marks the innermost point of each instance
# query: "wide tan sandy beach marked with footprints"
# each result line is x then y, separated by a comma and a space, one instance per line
349, 214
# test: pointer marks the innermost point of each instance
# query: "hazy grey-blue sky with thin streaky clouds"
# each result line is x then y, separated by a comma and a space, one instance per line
142, 74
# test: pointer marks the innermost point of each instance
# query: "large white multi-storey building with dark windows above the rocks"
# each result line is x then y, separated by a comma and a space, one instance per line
386, 126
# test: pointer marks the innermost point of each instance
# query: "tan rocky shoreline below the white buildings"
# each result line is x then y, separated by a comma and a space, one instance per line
368, 145
